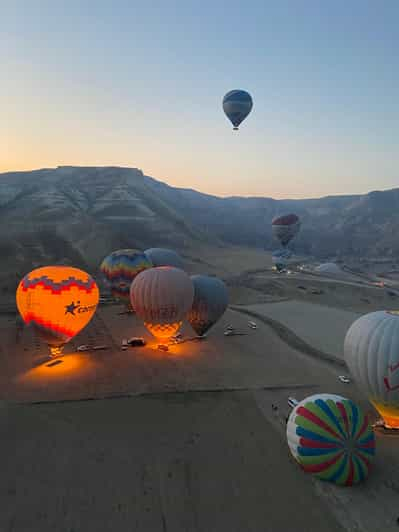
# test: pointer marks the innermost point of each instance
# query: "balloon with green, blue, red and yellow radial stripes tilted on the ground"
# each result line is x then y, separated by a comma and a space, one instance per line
329, 436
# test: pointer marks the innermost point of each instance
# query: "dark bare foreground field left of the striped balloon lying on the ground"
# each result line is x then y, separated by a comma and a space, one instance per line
206, 462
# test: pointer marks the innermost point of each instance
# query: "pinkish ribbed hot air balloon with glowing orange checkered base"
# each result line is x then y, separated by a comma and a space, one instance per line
162, 297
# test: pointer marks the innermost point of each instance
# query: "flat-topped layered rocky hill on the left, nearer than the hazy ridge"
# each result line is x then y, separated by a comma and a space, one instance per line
77, 216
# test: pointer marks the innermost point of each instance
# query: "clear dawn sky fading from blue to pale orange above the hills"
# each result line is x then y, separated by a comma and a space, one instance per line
140, 84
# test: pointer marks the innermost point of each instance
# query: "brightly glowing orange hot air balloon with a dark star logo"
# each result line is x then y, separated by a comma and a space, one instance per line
58, 301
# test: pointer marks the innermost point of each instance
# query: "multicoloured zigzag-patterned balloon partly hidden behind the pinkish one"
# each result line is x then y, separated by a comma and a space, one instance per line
120, 268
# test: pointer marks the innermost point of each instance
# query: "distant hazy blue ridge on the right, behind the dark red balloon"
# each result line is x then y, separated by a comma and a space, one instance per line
342, 226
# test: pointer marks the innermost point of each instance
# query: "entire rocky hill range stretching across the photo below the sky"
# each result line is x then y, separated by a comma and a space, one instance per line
77, 215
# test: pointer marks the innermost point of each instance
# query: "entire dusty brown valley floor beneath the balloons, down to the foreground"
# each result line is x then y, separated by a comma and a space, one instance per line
187, 440
